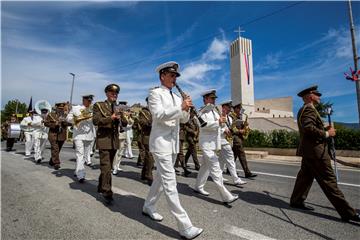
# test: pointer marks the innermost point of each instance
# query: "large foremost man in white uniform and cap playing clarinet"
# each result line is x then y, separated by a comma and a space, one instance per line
167, 110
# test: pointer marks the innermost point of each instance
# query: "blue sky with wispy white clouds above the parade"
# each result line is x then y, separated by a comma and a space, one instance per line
123, 42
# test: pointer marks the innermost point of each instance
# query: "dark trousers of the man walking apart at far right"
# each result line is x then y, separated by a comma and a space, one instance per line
321, 170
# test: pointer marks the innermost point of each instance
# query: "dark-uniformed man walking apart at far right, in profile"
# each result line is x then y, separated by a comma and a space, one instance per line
315, 162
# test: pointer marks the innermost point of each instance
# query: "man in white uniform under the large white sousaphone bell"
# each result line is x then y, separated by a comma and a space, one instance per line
40, 133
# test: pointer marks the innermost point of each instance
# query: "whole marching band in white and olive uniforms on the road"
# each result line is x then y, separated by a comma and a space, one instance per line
162, 127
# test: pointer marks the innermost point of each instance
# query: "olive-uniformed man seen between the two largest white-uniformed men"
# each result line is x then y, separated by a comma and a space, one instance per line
192, 137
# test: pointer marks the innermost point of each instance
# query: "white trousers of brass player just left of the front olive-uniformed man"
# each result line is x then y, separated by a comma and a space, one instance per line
82, 151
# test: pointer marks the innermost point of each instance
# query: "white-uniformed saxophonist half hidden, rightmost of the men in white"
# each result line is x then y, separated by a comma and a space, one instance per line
226, 156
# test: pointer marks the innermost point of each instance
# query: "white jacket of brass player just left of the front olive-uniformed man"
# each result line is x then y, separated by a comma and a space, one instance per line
85, 129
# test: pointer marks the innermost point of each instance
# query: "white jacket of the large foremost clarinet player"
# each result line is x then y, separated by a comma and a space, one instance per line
167, 116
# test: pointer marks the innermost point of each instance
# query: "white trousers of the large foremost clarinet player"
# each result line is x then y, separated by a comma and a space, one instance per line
165, 181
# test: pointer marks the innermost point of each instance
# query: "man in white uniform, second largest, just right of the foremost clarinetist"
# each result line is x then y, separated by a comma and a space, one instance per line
210, 143
